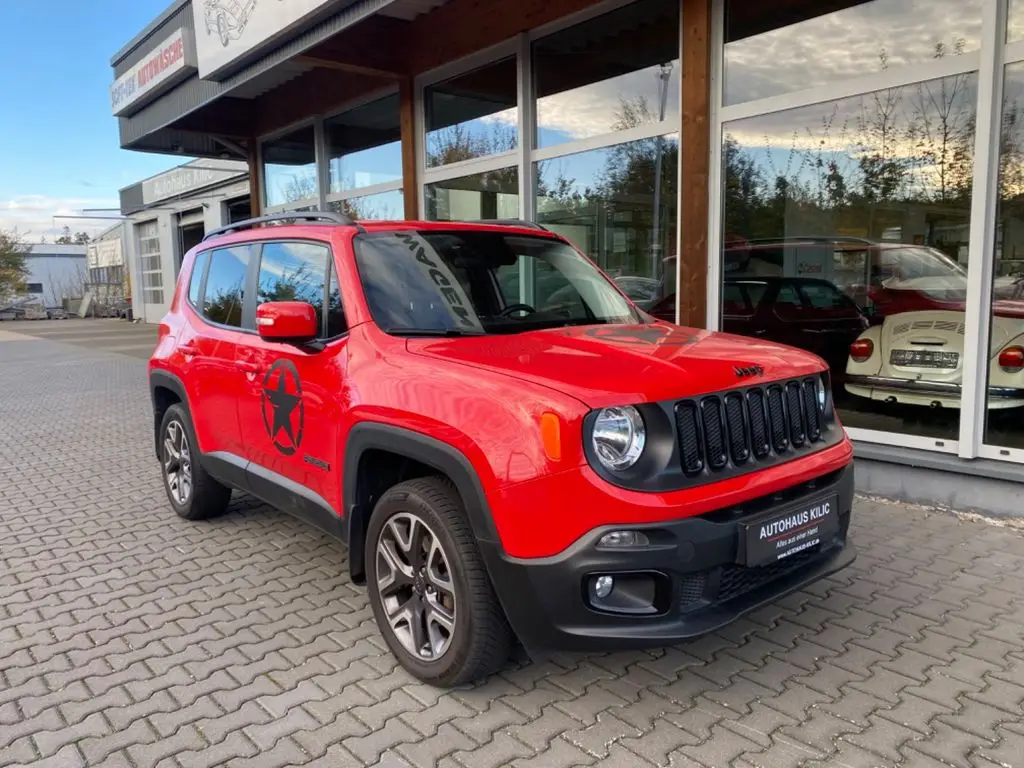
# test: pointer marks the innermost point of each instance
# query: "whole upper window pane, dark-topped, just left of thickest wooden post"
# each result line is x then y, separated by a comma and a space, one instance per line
615, 72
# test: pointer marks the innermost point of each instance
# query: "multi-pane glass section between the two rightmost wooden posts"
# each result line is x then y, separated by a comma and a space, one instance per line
576, 127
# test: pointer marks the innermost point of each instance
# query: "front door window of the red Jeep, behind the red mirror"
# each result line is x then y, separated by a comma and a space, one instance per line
302, 272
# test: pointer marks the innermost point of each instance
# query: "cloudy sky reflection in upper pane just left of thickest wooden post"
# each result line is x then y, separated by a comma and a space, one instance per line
599, 108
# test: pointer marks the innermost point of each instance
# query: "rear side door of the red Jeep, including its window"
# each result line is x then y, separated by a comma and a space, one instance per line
217, 329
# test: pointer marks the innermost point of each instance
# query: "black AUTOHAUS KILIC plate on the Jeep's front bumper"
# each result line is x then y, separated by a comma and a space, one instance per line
784, 535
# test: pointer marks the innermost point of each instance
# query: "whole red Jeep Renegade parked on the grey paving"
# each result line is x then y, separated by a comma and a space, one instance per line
509, 447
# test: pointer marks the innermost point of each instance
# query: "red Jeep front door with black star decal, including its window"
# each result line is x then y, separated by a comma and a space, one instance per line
295, 396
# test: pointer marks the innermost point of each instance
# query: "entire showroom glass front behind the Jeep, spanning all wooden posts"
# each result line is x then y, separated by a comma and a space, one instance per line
866, 195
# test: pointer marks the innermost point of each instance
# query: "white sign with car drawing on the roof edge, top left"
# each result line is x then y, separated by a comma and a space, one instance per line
227, 30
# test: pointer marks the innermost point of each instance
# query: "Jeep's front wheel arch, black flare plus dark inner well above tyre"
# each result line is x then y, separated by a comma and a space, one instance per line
428, 456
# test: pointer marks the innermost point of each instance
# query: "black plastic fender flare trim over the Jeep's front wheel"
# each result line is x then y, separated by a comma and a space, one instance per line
434, 453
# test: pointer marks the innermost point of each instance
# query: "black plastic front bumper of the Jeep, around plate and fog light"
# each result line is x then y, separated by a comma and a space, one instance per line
699, 586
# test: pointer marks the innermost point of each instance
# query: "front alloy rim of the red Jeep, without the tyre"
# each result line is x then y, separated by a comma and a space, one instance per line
416, 587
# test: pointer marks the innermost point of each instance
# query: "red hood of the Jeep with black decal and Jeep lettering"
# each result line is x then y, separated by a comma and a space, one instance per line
617, 365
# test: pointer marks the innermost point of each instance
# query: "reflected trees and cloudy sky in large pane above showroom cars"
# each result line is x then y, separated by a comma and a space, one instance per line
856, 166
